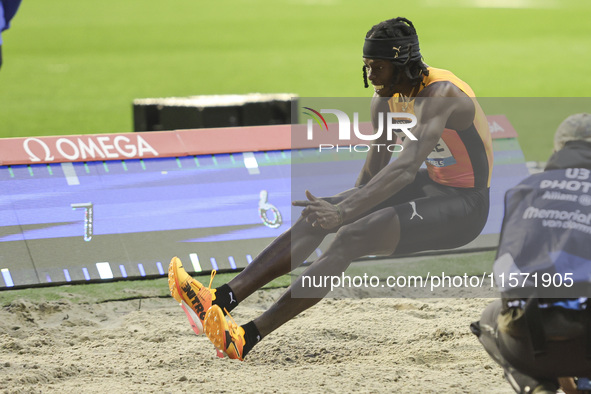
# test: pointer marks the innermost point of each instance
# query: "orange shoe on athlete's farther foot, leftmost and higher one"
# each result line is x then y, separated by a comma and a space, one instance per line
194, 298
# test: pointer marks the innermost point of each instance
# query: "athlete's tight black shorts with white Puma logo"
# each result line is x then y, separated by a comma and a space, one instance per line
433, 216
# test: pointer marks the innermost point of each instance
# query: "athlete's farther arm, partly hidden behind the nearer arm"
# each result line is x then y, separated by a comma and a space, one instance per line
376, 158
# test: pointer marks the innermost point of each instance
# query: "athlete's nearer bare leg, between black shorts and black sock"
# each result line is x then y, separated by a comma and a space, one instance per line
377, 233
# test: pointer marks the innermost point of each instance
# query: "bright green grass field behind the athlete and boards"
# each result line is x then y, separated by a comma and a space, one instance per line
74, 67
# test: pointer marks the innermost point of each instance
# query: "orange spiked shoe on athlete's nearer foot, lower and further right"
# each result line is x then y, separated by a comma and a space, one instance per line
227, 337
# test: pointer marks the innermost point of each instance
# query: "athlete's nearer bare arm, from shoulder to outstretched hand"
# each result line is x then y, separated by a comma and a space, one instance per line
438, 106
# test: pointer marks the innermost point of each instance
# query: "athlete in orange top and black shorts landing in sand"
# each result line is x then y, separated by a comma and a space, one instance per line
394, 208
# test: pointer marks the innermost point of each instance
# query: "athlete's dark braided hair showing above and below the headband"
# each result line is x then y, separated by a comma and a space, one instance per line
414, 68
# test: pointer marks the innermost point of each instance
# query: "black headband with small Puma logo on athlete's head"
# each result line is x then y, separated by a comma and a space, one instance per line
398, 49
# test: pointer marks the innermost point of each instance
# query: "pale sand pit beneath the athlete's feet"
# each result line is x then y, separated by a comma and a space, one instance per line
341, 345
